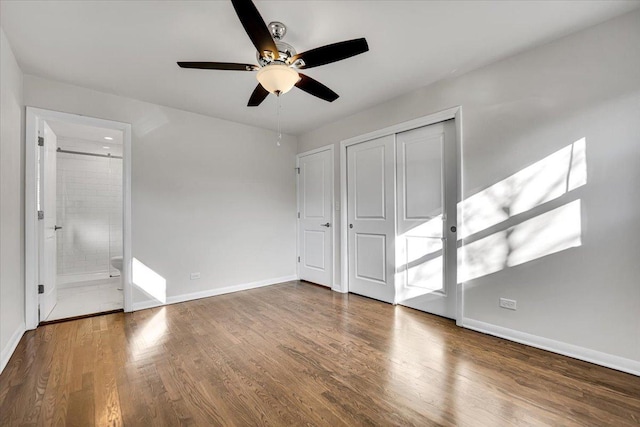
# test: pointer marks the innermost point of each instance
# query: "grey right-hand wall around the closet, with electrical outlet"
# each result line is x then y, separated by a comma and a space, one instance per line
515, 113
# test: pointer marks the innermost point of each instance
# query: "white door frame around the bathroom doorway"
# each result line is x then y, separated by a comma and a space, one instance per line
31, 214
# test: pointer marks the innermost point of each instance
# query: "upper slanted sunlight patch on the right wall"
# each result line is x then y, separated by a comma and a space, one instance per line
543, 181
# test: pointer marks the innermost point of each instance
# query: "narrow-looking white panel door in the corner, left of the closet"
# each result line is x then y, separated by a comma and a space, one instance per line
315, 224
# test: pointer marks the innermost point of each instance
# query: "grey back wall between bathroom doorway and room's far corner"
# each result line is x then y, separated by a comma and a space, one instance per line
208, 195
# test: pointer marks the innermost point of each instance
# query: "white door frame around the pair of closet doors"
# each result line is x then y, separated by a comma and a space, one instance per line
454, 113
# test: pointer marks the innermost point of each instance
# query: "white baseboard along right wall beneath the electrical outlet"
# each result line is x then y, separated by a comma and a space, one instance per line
577, 352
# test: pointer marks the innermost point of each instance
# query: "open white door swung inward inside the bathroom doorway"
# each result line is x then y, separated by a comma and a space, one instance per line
48, 227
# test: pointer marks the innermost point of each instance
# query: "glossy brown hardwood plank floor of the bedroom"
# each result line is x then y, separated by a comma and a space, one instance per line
298, 354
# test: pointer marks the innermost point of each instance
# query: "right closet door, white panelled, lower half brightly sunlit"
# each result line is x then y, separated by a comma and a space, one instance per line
426, 200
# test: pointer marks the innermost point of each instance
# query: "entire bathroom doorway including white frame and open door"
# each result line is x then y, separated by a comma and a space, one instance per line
77, 239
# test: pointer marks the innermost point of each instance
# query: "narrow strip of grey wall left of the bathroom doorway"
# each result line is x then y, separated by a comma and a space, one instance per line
11, 203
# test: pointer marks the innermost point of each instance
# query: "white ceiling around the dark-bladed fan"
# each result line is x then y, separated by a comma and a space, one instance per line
130, 48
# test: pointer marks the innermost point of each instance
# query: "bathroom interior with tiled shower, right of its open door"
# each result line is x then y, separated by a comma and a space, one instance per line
88, 177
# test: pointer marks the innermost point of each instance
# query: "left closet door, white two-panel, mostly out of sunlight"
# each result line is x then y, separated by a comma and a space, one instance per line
371, 218
